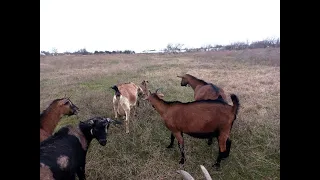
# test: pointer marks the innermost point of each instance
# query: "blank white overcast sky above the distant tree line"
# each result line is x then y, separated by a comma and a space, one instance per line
70, 25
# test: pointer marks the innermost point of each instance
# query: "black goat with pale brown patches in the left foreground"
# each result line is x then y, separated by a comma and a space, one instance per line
64, 154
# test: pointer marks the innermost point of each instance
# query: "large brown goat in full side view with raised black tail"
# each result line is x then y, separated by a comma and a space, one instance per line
199, 119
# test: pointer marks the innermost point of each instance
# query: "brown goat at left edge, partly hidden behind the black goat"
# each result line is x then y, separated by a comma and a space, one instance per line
50, 117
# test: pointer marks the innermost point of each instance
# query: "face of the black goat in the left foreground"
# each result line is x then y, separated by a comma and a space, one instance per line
99, 128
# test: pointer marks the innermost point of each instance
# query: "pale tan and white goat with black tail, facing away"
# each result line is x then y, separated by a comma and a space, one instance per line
125, 99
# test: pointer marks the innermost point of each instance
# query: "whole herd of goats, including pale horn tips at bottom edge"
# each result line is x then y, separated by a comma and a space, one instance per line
63, 153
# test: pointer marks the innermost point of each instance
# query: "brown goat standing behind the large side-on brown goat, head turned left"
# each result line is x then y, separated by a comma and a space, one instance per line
202, 89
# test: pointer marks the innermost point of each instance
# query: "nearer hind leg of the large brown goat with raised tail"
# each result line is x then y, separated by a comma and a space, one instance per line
224, 149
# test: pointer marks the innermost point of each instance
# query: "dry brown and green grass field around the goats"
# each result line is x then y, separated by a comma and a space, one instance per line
253, 75
